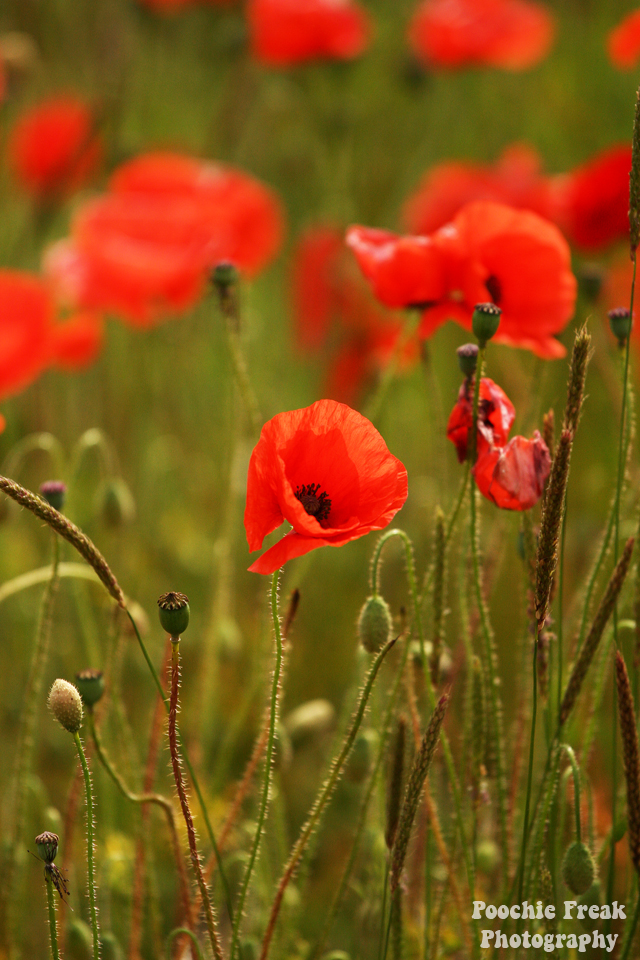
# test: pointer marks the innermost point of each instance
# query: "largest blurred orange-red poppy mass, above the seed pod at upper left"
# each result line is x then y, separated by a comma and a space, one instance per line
143, 250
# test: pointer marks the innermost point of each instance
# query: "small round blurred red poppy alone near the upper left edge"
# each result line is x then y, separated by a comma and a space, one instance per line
53, 148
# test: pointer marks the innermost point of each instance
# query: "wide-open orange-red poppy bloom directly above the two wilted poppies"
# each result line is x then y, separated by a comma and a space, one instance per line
488, 252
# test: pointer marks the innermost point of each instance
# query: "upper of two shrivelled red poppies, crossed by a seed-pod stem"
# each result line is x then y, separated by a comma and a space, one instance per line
496, 414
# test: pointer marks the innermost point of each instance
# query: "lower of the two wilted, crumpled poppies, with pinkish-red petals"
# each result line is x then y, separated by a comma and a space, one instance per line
513, 476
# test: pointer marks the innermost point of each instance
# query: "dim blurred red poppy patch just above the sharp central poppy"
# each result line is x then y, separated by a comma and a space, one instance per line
335, 313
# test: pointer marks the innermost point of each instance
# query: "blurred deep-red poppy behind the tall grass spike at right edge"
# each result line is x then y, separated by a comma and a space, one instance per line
592, 202
